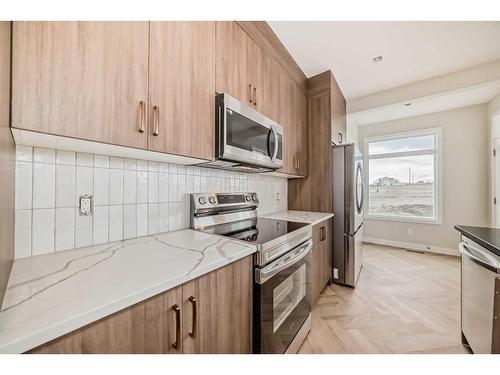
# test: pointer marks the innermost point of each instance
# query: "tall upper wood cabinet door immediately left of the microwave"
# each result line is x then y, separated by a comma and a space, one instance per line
182, 81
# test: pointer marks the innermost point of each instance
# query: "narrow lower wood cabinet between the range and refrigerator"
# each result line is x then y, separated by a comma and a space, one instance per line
321, 257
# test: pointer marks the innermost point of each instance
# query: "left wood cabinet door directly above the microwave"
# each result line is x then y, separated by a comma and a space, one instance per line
232, 61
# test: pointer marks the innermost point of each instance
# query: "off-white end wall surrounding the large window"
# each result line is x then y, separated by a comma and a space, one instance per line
465, 177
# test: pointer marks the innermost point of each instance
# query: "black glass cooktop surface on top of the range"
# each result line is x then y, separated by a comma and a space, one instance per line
257, 230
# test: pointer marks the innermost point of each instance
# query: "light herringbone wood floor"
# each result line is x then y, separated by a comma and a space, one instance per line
404, 302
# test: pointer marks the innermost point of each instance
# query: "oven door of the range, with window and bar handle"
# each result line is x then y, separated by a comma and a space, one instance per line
283, 302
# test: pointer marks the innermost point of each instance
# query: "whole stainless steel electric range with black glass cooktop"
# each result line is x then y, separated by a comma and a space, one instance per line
282, 297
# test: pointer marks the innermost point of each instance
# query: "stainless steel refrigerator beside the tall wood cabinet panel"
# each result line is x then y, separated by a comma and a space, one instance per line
348, 198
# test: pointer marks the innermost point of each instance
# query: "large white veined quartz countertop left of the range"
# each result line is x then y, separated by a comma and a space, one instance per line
53, 294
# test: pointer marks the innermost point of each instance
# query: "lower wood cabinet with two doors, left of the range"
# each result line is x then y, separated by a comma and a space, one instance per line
210, 314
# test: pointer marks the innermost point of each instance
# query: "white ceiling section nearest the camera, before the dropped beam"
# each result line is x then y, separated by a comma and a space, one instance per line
412, 50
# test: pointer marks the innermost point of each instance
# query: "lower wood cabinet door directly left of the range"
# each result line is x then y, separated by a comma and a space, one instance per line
222, 322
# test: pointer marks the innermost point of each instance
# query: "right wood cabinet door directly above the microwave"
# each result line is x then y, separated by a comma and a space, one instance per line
263, 76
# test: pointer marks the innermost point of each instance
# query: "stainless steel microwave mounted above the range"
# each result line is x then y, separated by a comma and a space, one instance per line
245, 139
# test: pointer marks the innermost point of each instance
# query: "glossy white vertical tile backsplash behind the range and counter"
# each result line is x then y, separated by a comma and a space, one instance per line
132, 198
